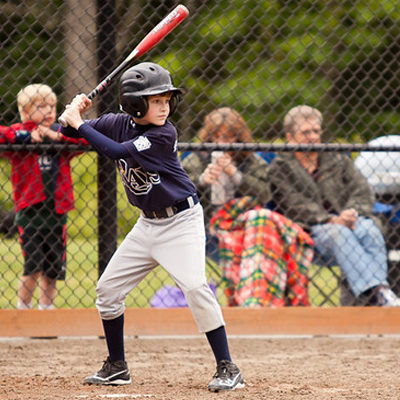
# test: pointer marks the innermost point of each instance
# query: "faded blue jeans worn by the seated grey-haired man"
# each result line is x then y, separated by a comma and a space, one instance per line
361, 253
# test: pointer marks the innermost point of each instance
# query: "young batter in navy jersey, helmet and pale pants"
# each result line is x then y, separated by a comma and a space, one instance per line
170, 230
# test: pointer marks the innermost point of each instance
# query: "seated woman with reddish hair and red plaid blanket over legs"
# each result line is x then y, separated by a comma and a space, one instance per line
264, 256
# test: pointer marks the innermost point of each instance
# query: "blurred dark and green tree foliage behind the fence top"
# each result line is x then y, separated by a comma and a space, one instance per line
260, 57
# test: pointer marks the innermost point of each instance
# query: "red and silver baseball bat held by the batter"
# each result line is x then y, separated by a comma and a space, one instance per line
162, 29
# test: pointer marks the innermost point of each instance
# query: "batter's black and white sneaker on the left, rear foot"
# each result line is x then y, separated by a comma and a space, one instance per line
111, 373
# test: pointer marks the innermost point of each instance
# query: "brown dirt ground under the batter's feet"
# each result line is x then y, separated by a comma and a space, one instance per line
294, 368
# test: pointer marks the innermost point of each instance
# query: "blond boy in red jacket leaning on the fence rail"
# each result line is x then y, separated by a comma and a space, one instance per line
43, 194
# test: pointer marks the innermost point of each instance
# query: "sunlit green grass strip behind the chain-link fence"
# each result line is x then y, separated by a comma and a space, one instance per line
78, 290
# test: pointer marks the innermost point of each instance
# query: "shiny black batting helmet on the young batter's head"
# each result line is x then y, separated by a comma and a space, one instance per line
145, 79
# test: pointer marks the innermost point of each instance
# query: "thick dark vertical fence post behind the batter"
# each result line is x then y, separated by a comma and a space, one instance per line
107, 101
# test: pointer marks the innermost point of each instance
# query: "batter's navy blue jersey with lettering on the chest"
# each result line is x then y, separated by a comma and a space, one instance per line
151, 172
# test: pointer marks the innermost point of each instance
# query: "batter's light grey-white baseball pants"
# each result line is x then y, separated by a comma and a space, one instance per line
177, 244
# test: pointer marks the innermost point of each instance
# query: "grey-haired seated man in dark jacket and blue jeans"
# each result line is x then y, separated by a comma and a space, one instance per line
326, 194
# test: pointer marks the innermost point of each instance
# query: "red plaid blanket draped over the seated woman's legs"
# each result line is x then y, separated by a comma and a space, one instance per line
263, 255
